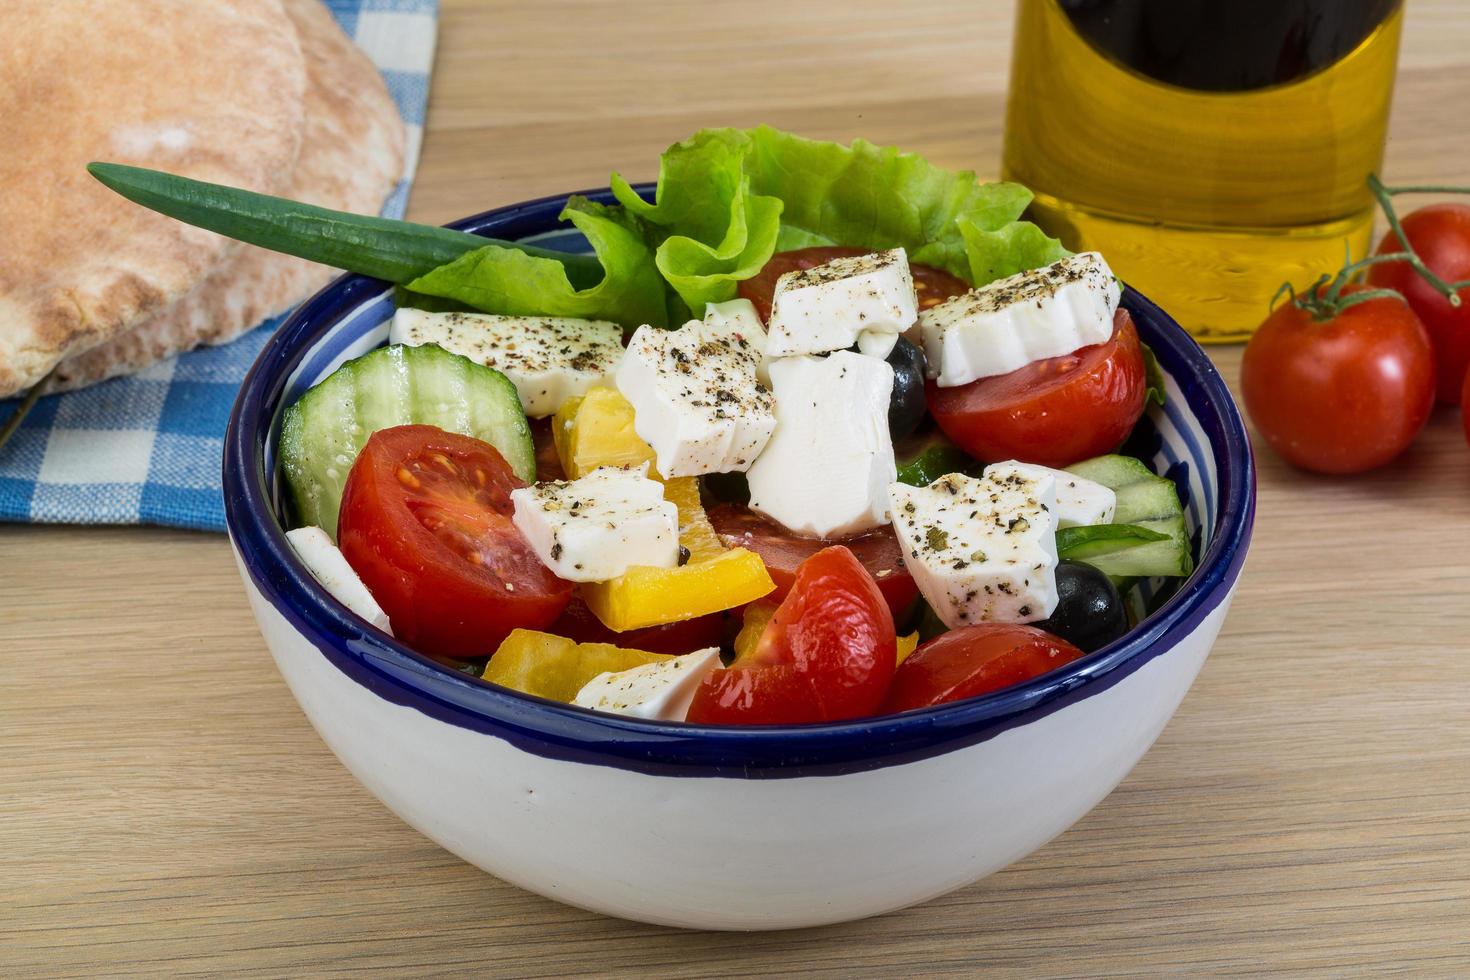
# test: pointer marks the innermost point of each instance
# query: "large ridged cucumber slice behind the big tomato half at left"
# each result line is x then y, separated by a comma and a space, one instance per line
324, 431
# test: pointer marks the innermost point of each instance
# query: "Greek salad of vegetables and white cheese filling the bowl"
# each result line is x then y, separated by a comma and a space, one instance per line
834, 434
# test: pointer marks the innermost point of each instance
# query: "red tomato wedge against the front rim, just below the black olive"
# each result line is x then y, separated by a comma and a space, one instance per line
975, 660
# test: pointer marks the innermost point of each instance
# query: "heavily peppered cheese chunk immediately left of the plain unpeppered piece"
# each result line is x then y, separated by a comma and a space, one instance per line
696, 397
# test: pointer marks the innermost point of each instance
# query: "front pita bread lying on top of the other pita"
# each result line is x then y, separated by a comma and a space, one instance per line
209, 89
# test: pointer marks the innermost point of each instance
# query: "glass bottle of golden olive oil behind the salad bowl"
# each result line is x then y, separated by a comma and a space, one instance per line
1211, 149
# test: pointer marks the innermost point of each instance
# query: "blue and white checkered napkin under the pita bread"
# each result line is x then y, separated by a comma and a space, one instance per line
146, 450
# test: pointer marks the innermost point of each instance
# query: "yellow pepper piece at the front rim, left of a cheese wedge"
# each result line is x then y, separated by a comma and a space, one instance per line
558, 668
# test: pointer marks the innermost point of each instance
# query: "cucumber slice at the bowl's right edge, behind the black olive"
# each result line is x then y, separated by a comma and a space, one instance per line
1149, 502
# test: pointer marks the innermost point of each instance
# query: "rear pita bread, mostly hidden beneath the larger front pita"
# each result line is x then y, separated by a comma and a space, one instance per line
351, 159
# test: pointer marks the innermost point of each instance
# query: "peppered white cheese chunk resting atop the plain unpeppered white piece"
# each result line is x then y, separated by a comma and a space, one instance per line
830, 308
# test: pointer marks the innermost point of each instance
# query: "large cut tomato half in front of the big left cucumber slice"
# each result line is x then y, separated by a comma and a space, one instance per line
426, 522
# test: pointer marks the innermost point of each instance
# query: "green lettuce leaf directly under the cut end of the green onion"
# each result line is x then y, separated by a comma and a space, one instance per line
509, 281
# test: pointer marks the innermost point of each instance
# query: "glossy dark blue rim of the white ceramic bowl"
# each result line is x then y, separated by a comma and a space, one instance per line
561, 732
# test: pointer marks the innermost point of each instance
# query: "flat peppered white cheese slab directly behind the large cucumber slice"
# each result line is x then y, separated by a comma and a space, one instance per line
549, 359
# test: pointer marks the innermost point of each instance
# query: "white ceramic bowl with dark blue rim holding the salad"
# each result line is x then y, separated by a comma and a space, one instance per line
772, 828
